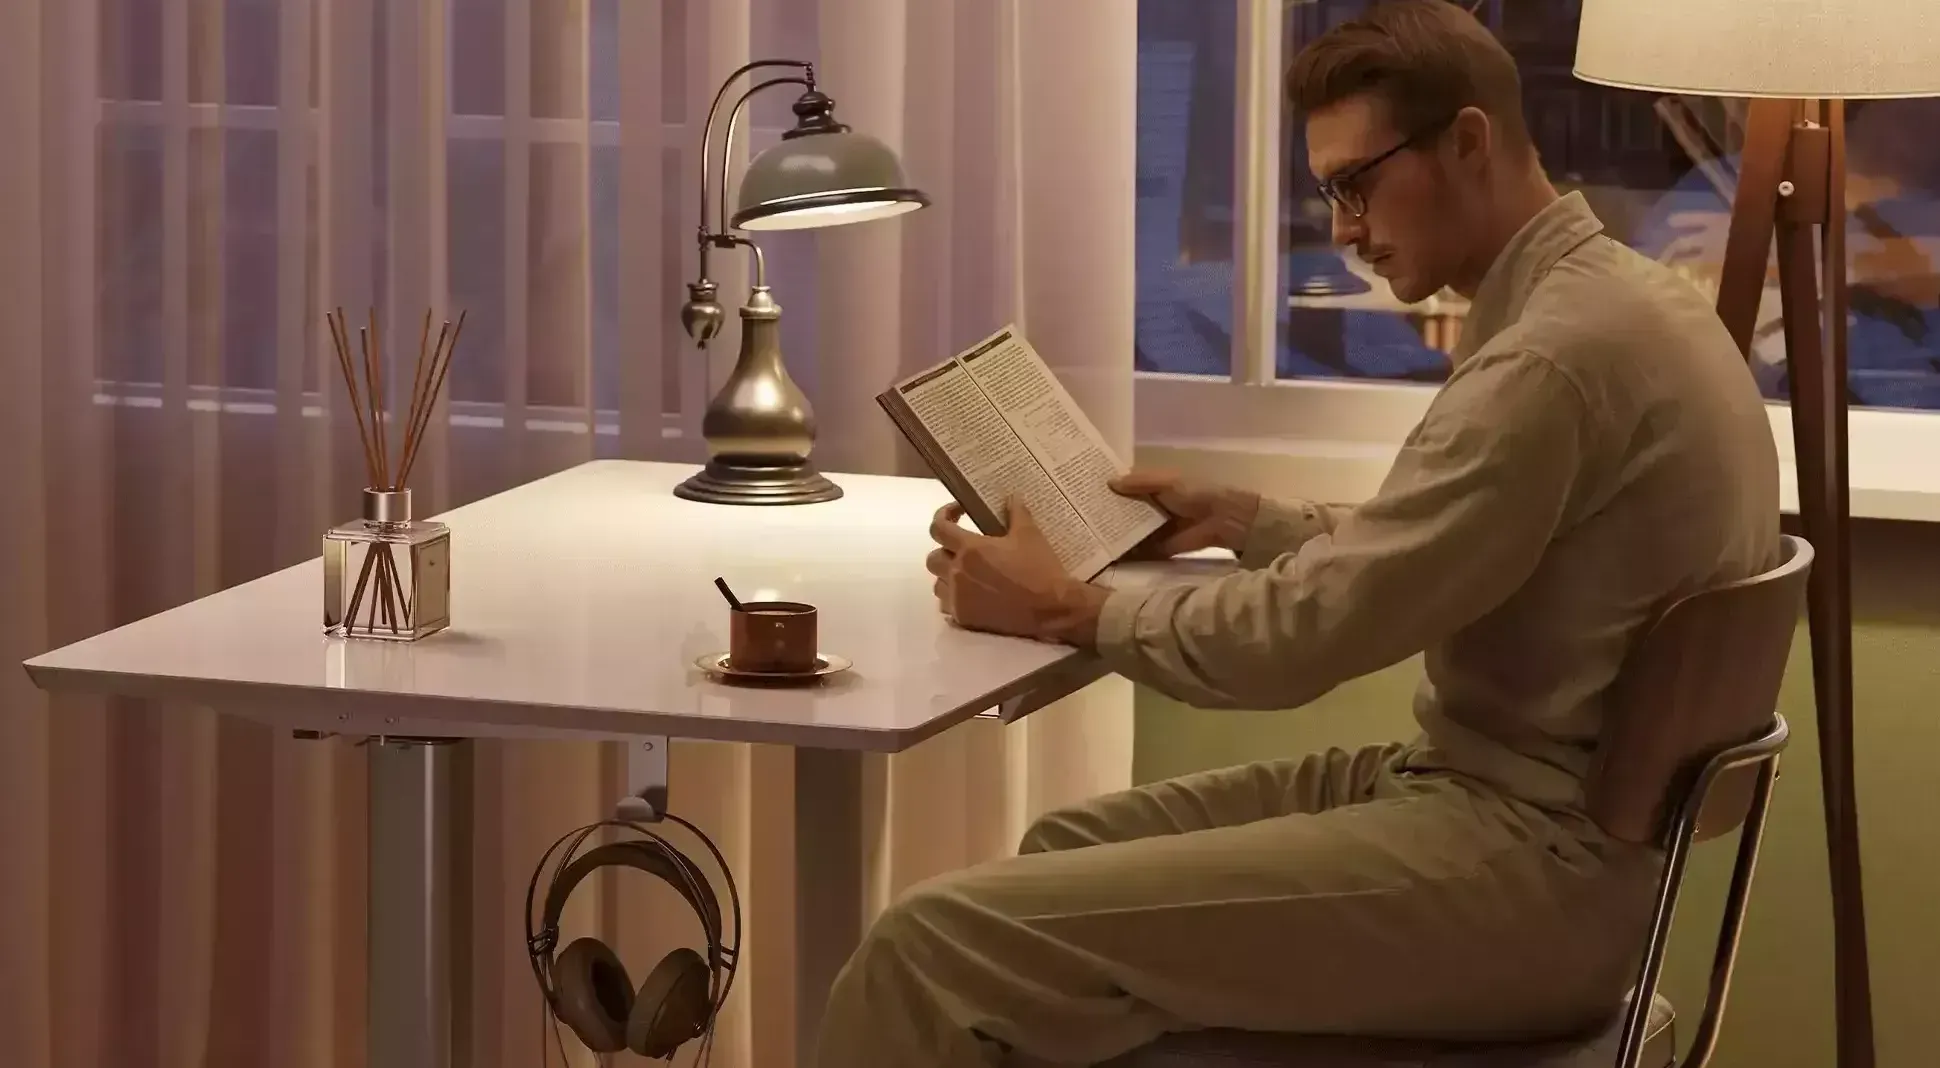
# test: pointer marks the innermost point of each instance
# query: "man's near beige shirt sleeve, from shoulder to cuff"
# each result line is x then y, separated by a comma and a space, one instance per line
1466, 515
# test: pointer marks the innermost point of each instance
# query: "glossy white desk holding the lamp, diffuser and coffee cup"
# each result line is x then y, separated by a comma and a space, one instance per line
579, 606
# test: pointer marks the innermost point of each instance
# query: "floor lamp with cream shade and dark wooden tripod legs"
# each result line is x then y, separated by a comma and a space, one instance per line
1797, 61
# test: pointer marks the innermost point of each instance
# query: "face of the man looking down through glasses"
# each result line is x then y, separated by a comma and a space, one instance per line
1411, 230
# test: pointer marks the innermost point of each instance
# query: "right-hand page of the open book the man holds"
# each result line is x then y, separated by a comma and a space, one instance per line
1064, 441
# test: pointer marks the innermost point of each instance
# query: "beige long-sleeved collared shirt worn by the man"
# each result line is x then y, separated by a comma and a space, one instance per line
1598, 451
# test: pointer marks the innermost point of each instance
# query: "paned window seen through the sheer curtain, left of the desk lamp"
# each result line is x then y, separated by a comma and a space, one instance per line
207, 127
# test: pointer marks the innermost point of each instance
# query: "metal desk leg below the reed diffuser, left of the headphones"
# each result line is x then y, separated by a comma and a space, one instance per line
410, 982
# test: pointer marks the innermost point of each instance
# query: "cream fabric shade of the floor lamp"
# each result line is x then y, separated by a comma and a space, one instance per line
1811, 49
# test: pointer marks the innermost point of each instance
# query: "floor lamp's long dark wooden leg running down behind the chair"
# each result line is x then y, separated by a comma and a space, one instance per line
1819, 387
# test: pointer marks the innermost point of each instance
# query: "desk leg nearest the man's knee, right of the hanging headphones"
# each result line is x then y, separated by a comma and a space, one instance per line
829, 883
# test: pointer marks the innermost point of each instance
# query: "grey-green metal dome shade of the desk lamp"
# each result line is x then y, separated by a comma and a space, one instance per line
824, 179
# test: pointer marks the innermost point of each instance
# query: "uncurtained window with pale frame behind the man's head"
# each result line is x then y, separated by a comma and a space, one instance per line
1252, 329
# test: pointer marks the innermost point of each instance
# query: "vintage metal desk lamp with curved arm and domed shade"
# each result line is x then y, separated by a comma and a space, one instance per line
758, 427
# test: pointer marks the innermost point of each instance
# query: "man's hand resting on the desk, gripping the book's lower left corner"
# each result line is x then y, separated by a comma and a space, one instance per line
1010, 584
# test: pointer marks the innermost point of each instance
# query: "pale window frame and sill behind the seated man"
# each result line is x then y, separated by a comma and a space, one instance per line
1336, 439
